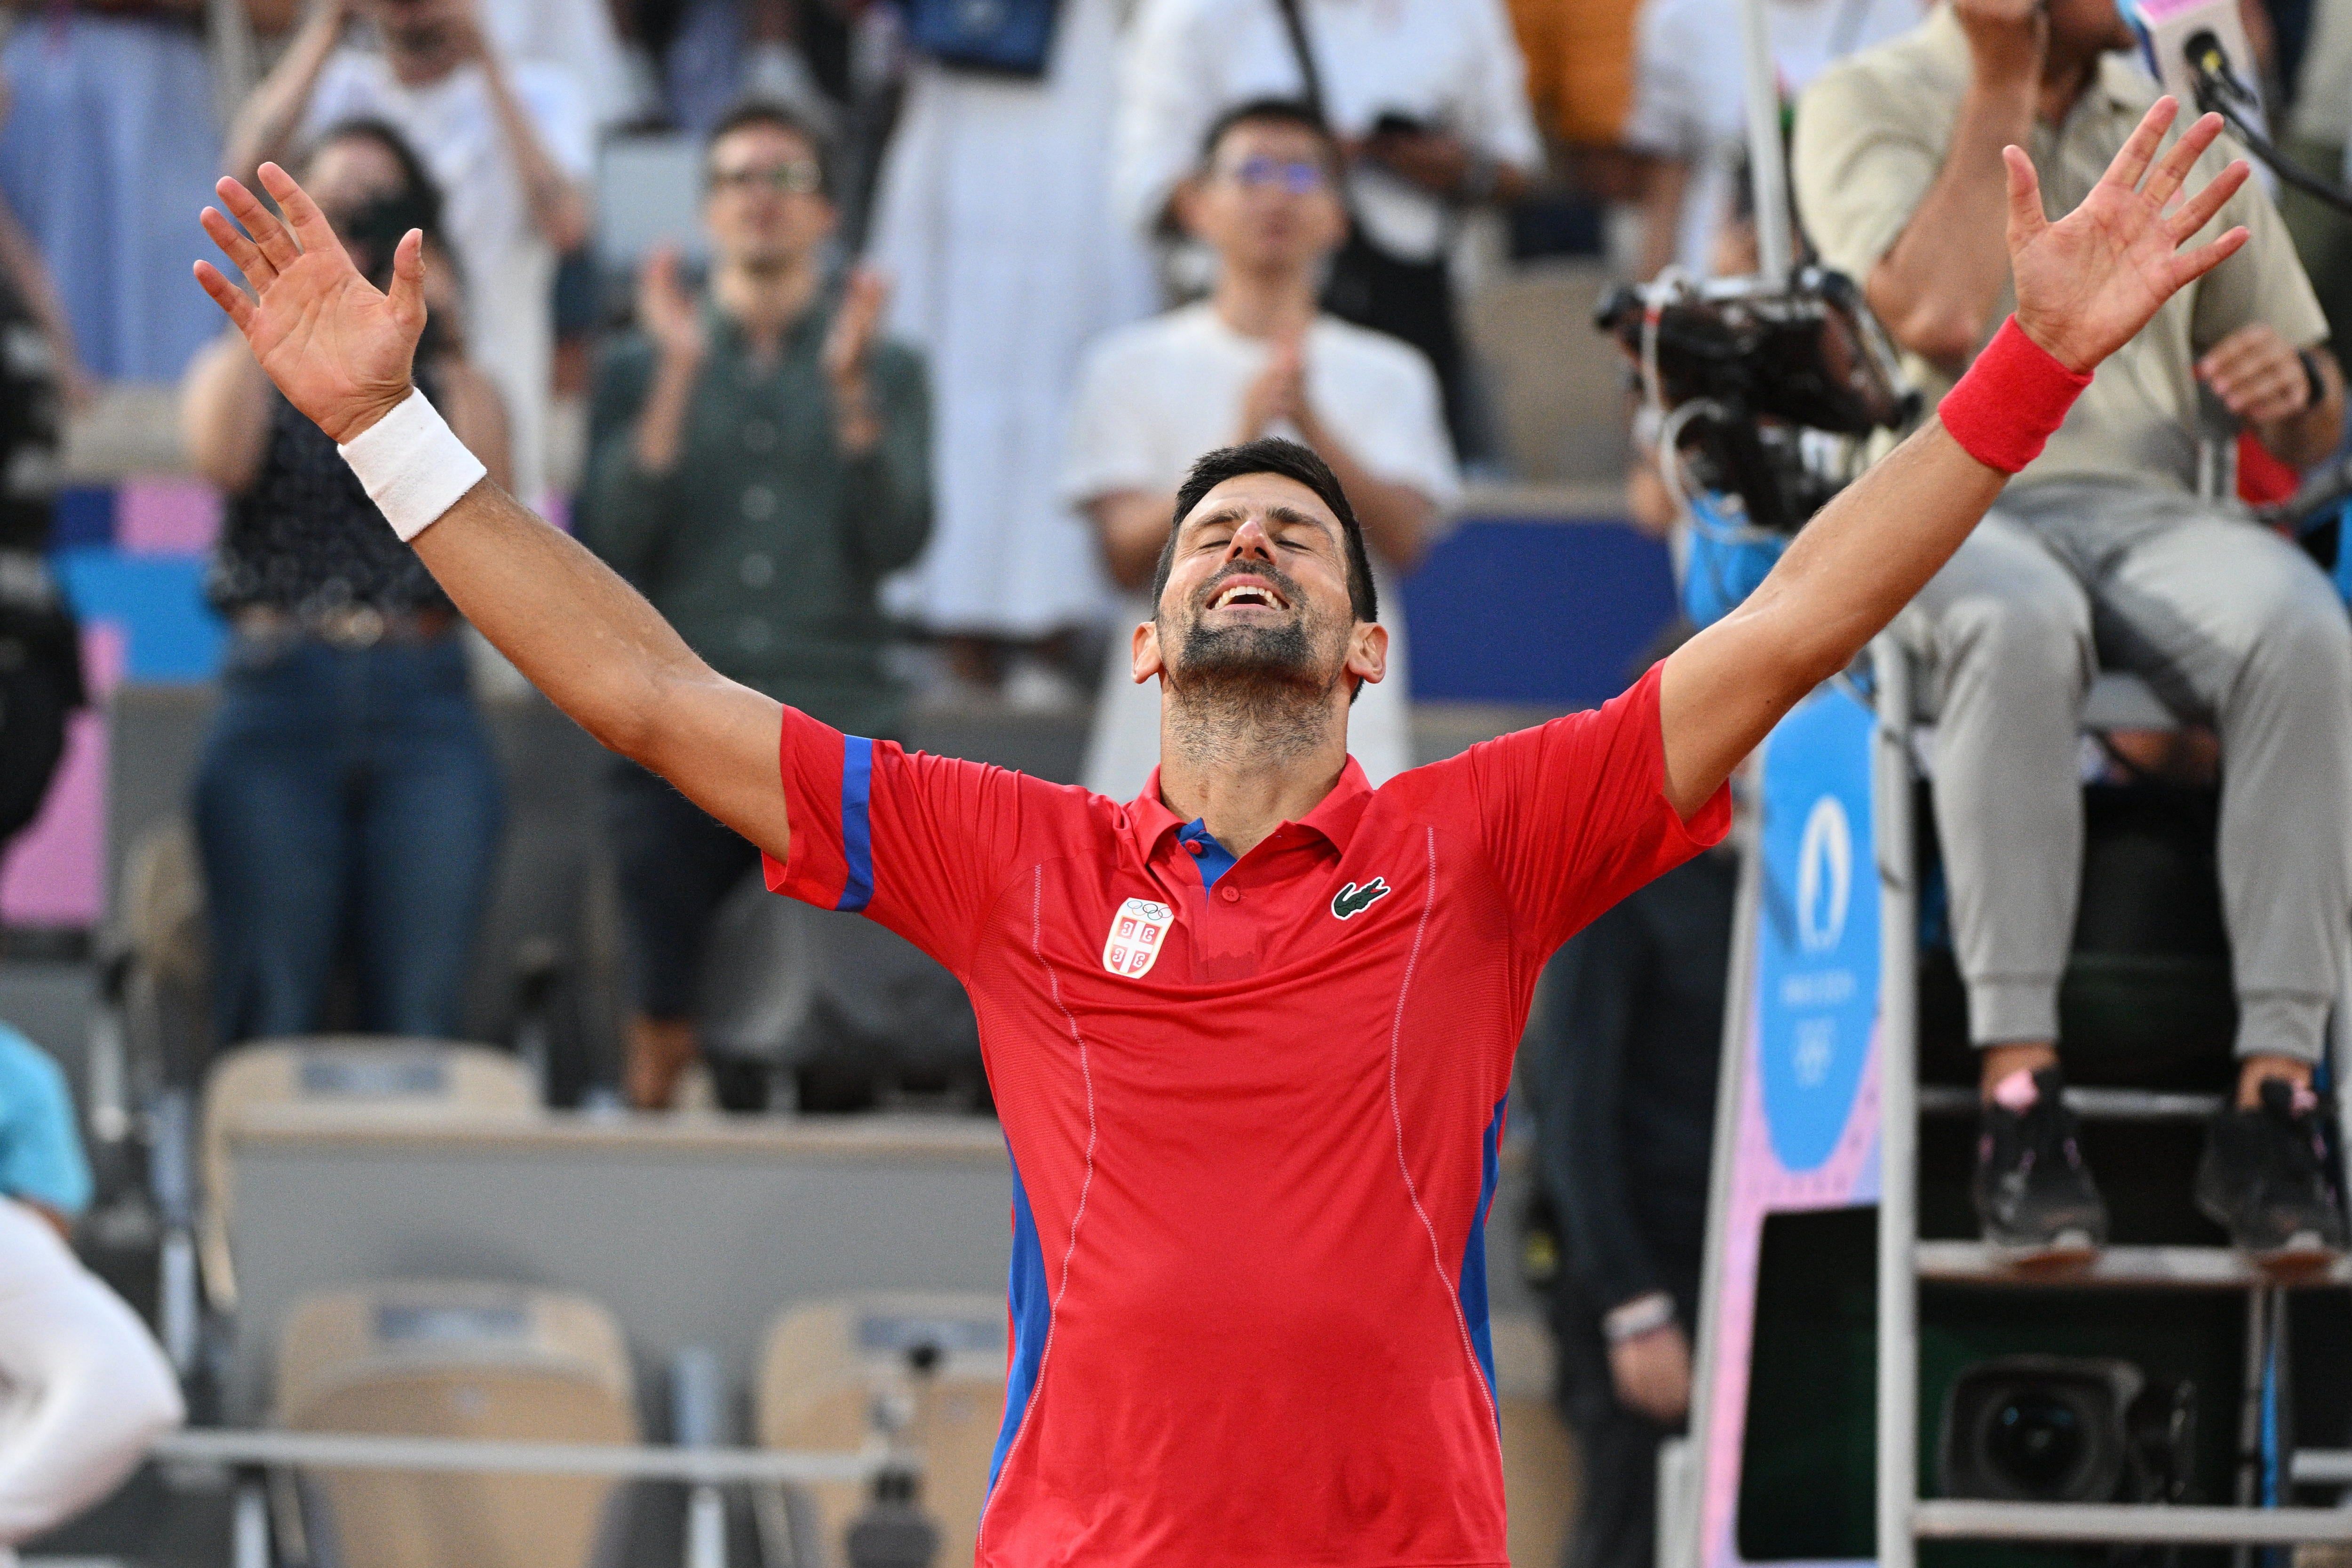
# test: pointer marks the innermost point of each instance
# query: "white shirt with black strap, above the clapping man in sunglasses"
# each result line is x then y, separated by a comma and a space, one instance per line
1450, 65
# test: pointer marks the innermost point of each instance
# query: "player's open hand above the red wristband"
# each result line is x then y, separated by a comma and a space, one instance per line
2097, 276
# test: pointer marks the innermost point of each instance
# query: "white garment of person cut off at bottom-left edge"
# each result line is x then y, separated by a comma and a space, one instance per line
86, 1388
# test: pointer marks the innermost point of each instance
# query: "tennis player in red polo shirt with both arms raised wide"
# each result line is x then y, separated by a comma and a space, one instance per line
1250, 1033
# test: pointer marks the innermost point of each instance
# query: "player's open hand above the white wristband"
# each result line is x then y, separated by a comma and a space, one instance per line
333, 344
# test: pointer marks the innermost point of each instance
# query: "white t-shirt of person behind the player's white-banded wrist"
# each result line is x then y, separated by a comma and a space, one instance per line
509, 269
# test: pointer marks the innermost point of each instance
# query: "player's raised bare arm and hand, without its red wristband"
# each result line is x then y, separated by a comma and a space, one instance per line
2085, 288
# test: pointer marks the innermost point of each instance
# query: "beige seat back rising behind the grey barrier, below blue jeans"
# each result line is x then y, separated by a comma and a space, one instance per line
408, 1076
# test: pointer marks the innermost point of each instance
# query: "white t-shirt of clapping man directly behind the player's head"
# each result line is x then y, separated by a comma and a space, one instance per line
1158, 396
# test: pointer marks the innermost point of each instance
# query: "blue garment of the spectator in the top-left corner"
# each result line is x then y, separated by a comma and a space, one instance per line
109, 140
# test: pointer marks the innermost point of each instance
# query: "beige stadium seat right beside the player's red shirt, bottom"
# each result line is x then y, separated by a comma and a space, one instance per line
829, 1367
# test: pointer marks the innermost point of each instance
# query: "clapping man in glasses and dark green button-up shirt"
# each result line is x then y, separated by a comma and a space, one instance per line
761, 464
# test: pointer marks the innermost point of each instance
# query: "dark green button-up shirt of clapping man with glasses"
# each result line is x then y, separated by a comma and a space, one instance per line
763, 547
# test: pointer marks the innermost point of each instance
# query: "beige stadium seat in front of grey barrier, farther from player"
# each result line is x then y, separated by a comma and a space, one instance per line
460, 1362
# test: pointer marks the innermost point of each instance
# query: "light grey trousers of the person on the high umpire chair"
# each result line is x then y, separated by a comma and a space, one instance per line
2236, 629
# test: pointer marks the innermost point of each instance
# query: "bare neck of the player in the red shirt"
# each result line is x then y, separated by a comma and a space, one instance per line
1245, 779
